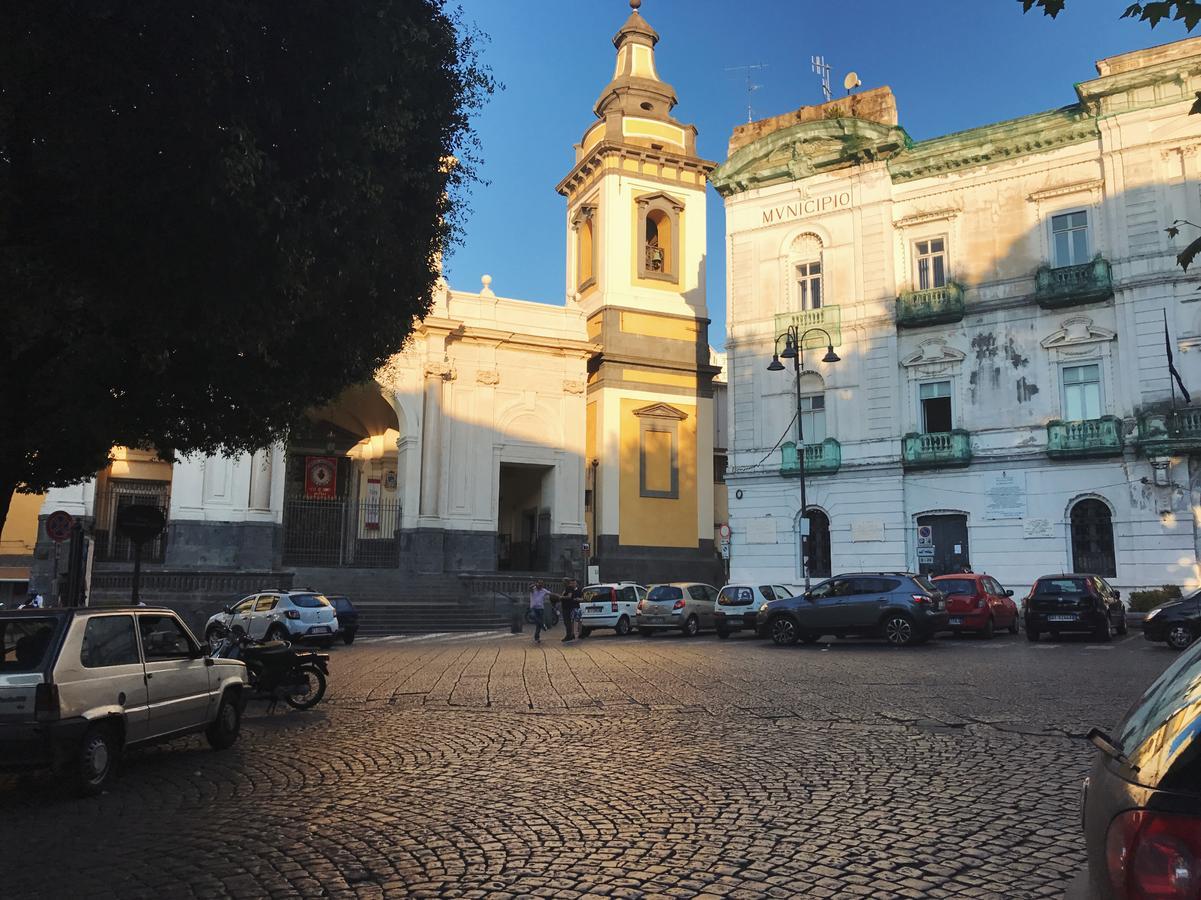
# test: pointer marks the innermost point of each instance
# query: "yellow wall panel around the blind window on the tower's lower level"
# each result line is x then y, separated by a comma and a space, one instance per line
655, 522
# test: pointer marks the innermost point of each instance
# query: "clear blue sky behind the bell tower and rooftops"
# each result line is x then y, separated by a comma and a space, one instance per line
953, 65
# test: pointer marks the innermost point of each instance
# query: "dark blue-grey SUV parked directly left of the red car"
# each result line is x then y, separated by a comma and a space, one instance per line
901, 607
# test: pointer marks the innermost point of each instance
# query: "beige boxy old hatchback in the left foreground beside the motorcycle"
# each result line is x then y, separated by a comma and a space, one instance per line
80, 687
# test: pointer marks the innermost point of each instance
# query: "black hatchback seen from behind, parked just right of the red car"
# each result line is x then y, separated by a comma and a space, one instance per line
1074, 604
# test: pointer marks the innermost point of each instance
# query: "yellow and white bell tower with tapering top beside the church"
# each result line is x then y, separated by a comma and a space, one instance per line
636, 264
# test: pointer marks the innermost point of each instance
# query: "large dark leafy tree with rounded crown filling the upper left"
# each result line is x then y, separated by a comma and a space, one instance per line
214, 214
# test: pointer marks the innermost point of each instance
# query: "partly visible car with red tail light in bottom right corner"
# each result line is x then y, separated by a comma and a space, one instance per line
1143, 797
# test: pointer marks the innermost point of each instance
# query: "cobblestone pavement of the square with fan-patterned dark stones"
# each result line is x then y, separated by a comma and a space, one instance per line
483, 766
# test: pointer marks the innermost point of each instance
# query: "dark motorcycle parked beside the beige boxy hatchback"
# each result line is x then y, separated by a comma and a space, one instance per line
276, 670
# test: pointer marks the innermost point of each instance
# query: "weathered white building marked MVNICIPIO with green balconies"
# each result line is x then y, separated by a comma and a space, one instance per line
997, 300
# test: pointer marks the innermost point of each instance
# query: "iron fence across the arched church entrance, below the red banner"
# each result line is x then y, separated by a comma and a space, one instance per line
342, 533
